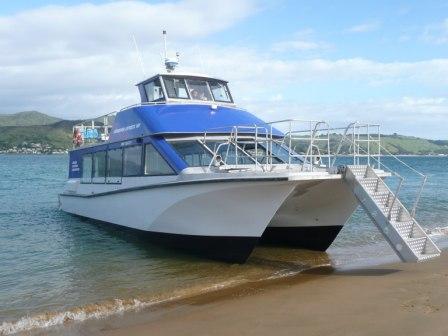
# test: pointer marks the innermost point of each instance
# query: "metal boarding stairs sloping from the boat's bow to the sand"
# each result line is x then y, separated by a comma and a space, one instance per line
400, 229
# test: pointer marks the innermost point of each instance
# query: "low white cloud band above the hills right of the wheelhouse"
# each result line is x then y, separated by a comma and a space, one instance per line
394, 115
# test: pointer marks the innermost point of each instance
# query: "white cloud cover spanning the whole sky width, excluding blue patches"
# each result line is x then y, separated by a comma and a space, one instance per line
79, 62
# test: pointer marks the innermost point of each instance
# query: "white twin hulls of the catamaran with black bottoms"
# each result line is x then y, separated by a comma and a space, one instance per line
226, 220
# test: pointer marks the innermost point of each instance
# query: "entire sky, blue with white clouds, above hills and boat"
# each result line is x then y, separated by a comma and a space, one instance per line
371, 61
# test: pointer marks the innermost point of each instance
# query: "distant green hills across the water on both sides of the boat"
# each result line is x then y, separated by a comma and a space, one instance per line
27, 129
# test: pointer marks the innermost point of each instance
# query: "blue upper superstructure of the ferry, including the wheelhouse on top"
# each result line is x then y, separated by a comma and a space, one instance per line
171, 106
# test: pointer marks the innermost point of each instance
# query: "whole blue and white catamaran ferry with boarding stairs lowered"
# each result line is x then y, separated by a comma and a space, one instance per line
192, 171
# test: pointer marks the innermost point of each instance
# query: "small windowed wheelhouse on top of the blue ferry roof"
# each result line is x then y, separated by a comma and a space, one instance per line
184, 88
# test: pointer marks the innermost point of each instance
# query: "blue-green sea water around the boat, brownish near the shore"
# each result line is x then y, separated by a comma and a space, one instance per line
56, 268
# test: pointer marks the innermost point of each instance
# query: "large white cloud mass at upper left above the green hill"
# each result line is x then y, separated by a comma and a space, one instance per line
81, 58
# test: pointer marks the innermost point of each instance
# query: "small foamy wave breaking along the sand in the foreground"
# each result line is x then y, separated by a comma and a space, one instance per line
118, 306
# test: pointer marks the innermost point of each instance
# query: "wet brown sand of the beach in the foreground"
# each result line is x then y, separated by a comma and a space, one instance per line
395, 299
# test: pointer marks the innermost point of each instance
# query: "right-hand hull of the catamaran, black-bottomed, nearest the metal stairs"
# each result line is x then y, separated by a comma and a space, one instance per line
312, 216
